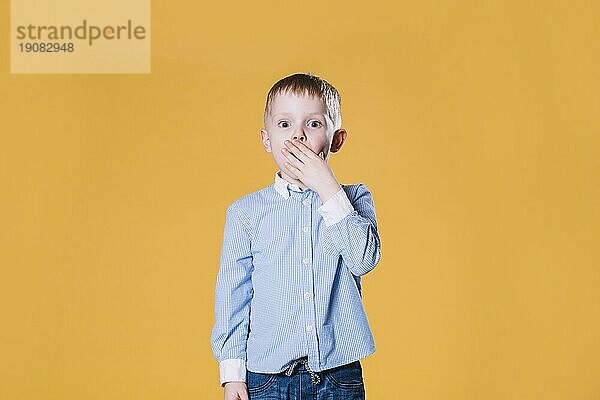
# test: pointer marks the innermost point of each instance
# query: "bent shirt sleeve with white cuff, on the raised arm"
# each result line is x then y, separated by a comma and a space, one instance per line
355, 234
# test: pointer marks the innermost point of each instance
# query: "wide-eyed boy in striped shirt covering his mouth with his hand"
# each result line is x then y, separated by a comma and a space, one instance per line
288, 300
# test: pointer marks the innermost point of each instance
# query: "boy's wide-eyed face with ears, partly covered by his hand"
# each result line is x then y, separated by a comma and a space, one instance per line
298, 117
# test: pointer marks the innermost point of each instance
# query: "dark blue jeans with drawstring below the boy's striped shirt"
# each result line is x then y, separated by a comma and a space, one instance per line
298, 382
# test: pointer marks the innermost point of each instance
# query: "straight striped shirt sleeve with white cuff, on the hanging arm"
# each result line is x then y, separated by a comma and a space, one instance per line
233, 293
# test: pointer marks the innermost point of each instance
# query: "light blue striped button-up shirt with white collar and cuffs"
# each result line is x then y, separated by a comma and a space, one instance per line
289, 281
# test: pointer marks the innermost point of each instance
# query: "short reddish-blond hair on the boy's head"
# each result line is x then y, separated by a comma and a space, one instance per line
302, 84
